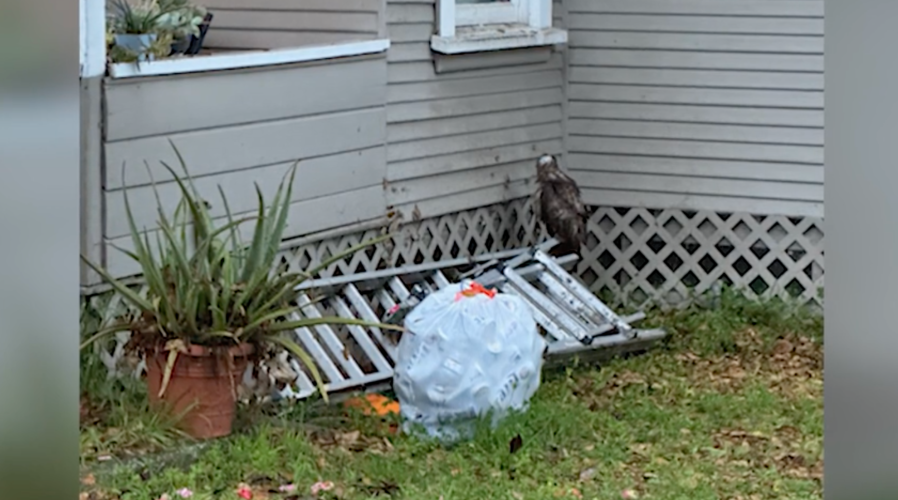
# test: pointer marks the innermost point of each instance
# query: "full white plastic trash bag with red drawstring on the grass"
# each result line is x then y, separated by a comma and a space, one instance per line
467, 351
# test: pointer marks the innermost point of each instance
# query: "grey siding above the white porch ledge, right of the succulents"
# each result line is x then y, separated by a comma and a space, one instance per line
273, 24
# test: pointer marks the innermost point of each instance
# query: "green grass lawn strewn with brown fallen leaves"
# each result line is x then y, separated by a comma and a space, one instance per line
730, 407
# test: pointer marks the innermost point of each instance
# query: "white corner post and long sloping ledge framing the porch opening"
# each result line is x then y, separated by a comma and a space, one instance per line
92, 53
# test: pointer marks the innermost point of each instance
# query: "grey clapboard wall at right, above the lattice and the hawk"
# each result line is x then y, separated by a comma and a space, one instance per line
698, 104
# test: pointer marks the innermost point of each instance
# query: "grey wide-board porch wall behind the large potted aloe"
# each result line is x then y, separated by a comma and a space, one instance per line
237, 128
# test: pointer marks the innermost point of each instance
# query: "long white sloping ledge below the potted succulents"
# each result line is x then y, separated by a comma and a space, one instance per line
253, 59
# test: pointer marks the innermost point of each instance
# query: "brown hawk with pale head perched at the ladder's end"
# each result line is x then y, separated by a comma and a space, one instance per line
557, 204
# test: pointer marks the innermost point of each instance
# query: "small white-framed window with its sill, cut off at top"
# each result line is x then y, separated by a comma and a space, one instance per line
484, 25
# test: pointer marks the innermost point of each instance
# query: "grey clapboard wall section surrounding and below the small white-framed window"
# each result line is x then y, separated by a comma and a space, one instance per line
464, 131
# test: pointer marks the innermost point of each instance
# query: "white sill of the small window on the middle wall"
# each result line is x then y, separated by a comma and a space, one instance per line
496, 37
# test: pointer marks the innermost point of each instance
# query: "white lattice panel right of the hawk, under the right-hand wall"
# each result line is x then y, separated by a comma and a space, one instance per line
641, 256
